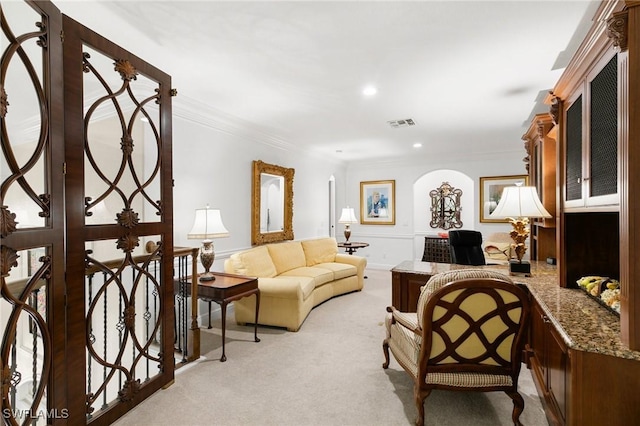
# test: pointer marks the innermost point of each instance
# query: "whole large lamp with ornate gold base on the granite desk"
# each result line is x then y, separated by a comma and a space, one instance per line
517, 204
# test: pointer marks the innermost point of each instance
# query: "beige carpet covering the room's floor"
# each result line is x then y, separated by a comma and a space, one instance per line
328, 373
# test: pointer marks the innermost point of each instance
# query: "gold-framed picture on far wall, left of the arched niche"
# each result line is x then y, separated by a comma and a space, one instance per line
378, 202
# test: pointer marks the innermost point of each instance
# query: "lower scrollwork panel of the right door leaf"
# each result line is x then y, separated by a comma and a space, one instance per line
123, 319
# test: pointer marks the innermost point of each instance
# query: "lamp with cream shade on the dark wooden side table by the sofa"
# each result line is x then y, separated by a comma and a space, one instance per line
207, 225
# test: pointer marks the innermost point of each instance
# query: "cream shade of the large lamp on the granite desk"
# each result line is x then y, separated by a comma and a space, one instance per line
518, 202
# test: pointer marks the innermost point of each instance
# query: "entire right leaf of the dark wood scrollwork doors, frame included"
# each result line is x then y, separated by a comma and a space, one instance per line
119, 197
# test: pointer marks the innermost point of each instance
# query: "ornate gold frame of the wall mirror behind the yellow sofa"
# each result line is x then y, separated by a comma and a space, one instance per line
258, 237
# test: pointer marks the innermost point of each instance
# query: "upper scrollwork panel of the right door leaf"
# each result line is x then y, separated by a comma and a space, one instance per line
122, 143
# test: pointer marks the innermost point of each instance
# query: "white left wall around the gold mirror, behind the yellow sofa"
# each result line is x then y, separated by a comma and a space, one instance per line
213, 164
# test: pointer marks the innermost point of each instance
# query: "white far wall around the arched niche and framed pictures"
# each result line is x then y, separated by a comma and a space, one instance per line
390, 245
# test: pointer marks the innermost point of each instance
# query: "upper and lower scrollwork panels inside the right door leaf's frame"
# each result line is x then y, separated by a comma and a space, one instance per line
123, 297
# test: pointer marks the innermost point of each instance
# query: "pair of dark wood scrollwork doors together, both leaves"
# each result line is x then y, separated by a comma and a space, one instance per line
85, 180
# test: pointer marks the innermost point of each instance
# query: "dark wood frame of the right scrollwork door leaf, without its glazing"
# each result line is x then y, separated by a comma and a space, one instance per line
78, 233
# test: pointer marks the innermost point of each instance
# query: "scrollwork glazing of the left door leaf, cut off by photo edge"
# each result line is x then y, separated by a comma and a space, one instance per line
25, 268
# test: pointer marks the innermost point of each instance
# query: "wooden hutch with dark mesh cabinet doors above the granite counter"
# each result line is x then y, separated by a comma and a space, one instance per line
598, 224
